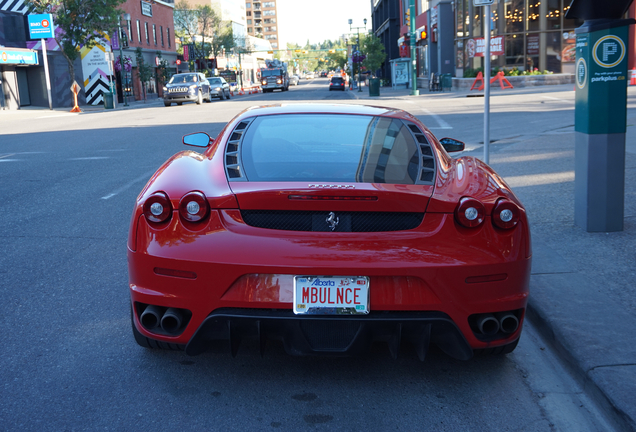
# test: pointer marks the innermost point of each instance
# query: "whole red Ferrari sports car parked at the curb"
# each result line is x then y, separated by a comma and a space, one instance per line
328, 227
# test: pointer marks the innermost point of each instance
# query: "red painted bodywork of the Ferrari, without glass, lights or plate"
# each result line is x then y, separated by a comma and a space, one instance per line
440, 272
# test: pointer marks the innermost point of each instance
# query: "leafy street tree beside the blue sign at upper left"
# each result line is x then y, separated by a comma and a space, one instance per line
83, 23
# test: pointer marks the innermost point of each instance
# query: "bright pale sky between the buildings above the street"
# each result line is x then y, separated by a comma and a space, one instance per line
300, 20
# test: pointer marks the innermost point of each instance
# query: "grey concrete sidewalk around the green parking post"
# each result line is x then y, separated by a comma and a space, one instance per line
582, 288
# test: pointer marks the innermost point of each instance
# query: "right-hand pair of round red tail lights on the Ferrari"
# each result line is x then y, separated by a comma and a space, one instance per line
471, 213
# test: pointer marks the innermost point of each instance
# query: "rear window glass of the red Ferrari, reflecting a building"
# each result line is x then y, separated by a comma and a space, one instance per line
329, 147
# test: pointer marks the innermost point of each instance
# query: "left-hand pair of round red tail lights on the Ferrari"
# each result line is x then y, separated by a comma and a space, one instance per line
193, 207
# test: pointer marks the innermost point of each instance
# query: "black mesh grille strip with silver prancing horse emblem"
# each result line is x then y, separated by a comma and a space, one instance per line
317, 220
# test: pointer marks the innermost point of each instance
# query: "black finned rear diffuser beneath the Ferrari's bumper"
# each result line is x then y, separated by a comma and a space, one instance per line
344, 335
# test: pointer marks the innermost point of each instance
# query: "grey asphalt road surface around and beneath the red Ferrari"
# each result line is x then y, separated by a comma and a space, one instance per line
69, 362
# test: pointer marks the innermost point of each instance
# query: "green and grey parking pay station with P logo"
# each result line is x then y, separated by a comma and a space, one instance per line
600, 113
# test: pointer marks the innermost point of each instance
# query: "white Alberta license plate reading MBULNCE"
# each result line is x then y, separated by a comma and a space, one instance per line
331, 295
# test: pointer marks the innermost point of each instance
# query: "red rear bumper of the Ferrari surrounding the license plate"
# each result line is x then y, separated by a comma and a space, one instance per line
227, 265
